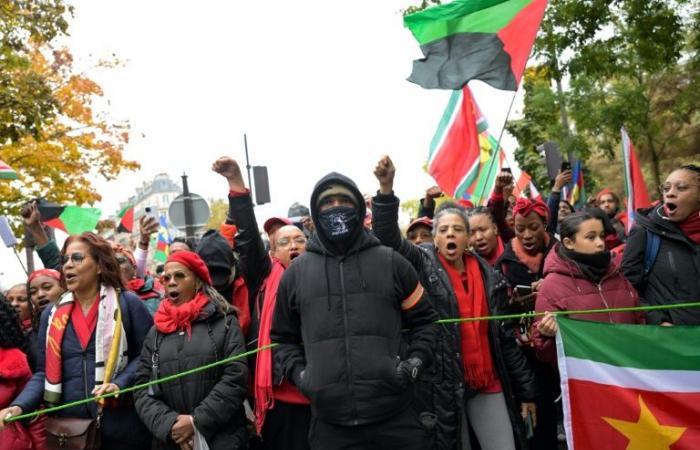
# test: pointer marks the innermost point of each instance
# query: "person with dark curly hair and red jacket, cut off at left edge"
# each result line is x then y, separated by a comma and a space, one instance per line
14, 375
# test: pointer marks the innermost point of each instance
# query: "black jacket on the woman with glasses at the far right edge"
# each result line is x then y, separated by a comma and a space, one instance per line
675, 275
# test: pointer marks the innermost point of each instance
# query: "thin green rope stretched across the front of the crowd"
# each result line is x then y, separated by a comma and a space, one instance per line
257, 350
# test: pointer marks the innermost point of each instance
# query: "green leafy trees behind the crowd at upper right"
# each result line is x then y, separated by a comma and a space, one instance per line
605, 64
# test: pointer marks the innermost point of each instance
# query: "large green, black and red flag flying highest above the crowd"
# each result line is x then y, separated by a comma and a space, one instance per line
488, 40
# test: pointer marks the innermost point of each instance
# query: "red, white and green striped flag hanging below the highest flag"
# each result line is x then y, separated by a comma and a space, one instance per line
454, 156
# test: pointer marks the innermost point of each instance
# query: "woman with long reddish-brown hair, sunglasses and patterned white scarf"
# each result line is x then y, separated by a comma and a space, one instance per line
77, 358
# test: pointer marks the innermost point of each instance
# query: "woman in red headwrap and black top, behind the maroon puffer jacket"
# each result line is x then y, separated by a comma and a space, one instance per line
522, 263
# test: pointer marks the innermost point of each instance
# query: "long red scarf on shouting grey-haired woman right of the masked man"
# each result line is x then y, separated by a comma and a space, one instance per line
471, 302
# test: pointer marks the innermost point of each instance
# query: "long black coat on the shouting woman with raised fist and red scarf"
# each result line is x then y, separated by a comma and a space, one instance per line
444, 391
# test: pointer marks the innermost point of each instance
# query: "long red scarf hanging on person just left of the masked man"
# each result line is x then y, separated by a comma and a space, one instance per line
264, 395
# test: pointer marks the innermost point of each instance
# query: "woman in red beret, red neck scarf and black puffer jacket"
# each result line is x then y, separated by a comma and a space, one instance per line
194, 326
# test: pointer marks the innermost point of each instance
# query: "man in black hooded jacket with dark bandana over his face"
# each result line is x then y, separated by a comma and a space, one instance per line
341, 309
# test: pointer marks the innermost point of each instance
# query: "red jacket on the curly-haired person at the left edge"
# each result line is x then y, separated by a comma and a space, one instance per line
14, 374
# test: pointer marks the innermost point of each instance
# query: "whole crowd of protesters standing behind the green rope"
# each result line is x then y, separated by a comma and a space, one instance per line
348, 310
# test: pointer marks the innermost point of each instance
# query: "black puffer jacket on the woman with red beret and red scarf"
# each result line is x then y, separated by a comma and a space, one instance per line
213, 397
